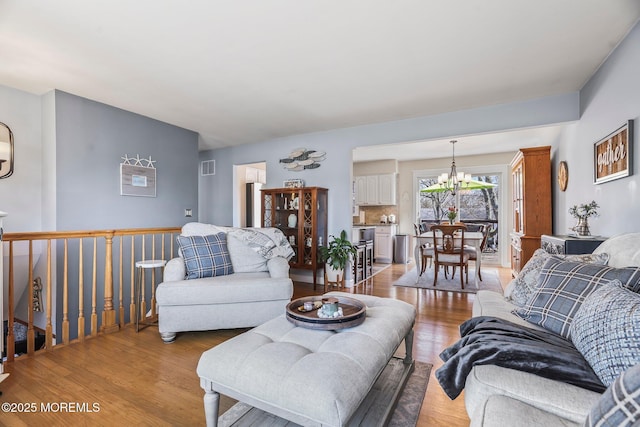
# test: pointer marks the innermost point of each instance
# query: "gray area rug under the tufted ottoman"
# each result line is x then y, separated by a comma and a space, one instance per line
405, 414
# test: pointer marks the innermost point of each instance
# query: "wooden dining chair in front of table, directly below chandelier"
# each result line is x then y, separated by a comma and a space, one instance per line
448, 250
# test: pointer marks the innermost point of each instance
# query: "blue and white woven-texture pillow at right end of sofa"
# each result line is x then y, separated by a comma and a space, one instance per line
606, 330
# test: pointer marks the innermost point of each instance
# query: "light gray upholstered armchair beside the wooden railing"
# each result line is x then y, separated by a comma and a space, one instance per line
258, 290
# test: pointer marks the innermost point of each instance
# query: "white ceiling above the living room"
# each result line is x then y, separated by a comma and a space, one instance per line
246, 71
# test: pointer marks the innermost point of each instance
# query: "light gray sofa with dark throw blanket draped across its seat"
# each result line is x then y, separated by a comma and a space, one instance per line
497, 396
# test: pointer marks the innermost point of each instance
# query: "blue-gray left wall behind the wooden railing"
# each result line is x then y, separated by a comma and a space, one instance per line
67, 155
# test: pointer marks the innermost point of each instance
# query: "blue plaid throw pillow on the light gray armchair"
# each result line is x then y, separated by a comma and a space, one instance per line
205, 256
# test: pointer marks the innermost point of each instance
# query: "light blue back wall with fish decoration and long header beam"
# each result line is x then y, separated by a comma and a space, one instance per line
216, 192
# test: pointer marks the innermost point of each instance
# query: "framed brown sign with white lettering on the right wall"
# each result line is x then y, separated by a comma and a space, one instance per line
612, 155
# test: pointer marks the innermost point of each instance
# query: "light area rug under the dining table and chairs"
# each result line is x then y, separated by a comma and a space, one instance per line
490, 281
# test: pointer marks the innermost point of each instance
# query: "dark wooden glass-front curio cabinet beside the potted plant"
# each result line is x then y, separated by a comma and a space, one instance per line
301, 214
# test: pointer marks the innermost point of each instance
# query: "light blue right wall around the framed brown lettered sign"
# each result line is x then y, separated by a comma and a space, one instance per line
607, 101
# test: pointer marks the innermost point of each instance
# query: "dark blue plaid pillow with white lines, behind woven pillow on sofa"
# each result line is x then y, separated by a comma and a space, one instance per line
563, 286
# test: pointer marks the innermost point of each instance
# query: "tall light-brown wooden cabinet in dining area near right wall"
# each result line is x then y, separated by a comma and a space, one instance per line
531, 209
